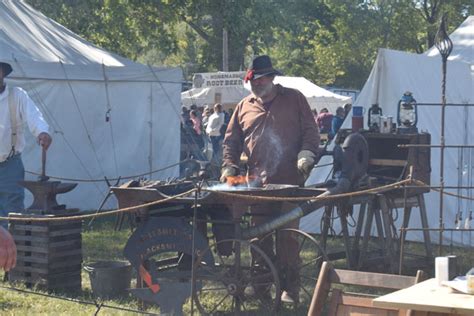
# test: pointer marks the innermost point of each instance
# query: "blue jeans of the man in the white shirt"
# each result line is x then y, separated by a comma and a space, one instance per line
12, 194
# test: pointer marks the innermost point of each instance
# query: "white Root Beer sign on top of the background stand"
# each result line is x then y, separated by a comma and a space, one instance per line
218, 79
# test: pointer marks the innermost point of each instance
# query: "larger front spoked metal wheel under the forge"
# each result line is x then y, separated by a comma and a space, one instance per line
233, 285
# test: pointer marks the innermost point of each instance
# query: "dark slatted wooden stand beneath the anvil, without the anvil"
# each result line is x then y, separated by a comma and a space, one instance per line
49, 253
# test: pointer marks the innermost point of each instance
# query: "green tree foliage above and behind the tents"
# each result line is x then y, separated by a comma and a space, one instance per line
332, 42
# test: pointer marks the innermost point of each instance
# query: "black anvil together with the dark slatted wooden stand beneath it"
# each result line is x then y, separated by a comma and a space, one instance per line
49, 251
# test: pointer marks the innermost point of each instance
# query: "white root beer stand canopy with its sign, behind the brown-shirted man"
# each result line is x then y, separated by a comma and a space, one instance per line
228, 89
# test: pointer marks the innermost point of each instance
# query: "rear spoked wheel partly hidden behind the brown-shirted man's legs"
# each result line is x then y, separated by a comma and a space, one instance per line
311, 258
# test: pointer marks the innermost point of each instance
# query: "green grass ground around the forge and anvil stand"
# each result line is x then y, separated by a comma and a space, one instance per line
101, 242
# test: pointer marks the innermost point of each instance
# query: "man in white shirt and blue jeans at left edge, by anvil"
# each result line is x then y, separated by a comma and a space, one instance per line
16, 111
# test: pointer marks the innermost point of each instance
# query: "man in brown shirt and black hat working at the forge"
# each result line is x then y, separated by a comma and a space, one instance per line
274, 127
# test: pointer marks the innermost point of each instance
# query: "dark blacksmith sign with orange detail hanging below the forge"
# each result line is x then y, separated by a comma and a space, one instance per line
160, 235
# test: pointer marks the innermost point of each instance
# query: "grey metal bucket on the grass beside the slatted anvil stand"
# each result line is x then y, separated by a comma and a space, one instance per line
109, 279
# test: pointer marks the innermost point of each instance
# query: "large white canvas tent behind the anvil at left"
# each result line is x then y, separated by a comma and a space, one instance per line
109, 116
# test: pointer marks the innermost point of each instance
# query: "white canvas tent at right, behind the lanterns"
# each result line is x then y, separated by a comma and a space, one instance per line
395, 72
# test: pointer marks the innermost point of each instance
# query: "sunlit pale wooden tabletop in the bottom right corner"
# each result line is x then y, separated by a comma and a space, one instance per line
427, 296
